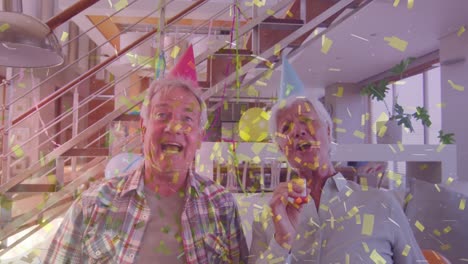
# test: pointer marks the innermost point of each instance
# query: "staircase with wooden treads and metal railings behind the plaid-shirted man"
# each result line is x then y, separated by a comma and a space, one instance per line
74, 123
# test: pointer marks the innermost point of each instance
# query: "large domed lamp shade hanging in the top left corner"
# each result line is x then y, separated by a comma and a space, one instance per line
26, 42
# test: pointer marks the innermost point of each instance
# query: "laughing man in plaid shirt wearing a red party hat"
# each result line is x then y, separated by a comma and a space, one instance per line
162, 212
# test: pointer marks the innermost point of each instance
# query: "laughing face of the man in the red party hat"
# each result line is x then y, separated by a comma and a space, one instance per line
172, 134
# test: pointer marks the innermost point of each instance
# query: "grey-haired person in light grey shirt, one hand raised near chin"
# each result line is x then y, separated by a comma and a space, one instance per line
343, 222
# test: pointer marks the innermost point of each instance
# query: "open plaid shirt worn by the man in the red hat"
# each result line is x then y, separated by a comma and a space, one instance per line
107, 223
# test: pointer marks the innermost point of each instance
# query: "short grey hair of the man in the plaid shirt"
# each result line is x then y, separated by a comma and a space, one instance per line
164, 86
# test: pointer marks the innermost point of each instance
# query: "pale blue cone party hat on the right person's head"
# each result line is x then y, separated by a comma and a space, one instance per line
291, 84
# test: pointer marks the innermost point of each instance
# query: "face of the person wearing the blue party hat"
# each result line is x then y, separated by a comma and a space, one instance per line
302, 136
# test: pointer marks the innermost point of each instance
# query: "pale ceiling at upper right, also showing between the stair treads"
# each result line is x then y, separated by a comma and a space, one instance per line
359, 48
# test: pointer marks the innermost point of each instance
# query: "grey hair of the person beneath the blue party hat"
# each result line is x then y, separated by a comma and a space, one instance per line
284, 103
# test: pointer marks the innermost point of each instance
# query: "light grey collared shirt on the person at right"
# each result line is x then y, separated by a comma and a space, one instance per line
352, 225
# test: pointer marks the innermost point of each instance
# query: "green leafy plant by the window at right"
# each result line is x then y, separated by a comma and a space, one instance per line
397, 116
